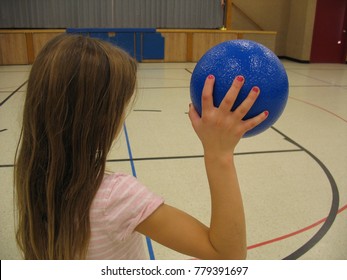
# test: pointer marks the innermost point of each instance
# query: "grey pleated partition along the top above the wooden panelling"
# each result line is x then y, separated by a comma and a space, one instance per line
111, 13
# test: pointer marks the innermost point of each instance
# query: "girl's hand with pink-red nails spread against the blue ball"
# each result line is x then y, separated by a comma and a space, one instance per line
219, 129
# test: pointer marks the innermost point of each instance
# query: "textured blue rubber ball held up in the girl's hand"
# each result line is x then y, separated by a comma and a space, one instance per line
259, 66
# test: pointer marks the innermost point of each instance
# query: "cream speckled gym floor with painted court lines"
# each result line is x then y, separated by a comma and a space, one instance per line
292, 176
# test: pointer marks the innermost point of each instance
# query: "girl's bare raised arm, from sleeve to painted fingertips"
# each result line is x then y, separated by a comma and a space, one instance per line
219, 130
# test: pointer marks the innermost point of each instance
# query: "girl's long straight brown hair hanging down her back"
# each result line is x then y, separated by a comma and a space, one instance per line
77, 92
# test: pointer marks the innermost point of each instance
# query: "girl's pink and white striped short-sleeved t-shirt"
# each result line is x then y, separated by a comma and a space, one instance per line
120, 204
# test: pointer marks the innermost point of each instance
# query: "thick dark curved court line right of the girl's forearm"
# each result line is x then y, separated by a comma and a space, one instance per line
333, 209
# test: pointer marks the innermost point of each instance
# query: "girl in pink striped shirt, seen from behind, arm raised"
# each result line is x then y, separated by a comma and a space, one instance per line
68, 208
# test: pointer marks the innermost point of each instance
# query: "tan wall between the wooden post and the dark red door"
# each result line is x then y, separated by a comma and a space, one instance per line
293, 21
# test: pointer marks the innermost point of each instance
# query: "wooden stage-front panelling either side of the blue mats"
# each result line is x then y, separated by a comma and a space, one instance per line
181, 45
